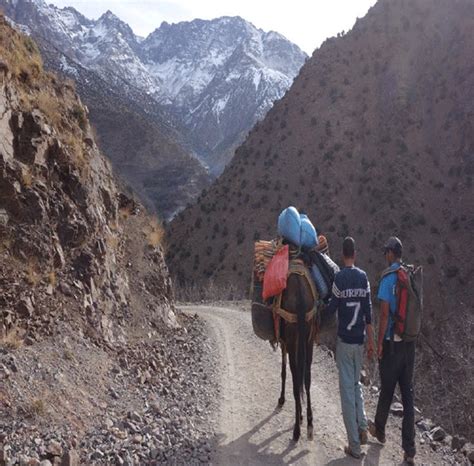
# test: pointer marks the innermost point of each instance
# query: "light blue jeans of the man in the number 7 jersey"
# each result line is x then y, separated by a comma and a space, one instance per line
349, 358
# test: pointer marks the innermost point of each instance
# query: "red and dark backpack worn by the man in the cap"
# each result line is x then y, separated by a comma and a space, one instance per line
409, 293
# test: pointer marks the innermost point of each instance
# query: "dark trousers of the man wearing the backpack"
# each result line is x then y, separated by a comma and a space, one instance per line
397, 367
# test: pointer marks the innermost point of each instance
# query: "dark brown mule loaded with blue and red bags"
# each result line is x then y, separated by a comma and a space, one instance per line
292, 278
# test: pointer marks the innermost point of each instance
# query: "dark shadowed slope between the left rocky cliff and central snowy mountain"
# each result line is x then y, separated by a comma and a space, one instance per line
135, 134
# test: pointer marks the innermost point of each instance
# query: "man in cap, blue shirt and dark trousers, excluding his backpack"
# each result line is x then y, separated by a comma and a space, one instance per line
396, 357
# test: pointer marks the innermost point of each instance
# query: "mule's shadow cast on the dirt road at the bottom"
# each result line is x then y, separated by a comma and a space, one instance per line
243, 451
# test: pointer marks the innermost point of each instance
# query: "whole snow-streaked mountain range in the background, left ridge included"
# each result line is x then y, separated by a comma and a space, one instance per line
216, 77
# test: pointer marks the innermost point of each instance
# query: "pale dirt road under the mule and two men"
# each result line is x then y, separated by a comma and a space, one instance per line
250, 428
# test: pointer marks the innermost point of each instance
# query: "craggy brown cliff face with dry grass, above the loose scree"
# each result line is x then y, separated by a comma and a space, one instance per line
64, 220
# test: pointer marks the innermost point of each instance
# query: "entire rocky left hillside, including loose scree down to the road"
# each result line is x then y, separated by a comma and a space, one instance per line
89, 335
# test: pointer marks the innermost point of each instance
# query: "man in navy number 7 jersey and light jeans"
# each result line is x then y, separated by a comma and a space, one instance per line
351, 299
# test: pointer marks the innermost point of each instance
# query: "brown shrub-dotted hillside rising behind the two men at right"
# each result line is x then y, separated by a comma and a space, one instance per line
374, 138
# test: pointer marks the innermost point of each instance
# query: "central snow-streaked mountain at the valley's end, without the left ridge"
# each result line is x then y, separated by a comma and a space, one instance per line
221, 76
